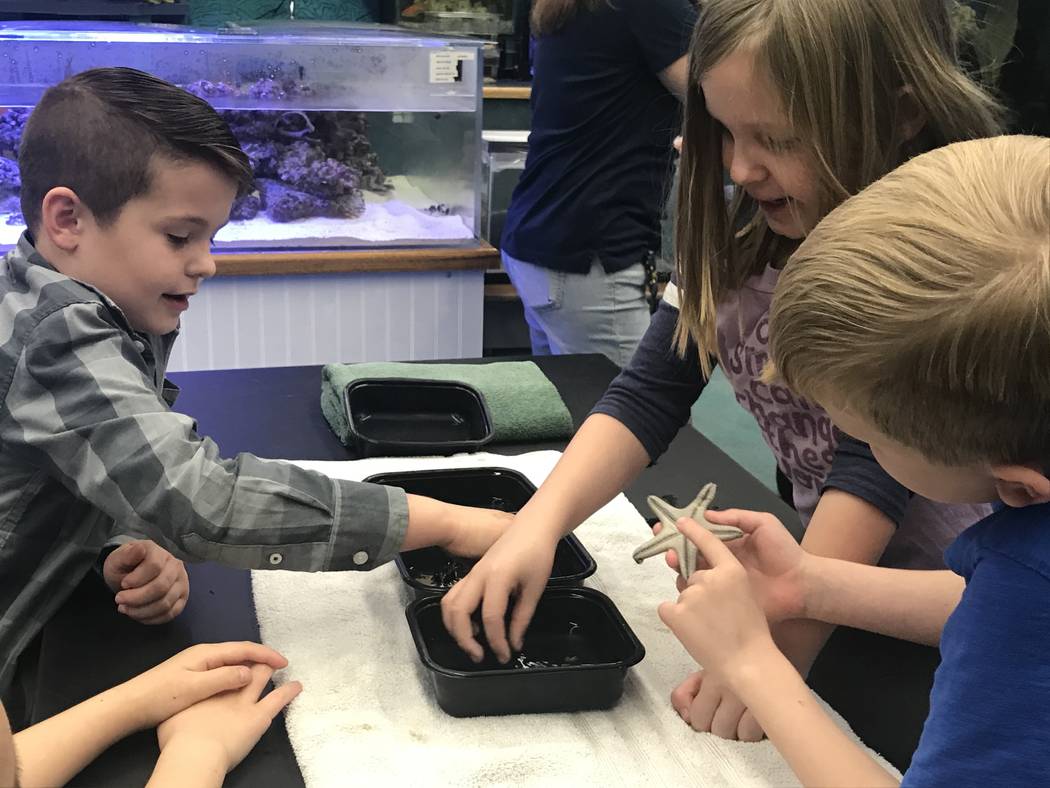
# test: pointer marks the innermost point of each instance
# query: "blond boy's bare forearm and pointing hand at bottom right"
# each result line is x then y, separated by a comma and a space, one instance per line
723, 628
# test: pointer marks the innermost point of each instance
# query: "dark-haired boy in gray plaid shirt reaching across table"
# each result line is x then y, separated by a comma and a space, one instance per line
125, 181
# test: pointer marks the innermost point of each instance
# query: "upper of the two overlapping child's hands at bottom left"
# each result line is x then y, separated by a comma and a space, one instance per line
193, 676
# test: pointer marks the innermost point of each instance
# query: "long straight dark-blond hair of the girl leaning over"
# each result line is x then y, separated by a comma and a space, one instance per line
842, 68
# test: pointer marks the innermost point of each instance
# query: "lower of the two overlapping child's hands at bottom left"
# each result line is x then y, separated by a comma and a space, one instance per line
220, 732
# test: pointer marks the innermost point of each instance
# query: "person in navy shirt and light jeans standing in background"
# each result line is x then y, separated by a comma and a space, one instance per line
608, 79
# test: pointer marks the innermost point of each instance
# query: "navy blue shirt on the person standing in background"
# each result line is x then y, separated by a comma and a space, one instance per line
600, 149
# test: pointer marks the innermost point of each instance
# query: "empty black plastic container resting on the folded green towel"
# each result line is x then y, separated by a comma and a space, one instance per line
405, 417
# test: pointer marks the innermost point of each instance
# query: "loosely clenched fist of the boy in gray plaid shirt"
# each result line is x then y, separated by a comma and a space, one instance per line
152, 585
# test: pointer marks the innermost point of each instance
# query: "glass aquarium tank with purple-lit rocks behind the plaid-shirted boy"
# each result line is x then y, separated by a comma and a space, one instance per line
361, 137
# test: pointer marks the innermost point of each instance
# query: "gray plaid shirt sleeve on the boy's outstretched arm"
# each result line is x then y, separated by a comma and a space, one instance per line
81, 406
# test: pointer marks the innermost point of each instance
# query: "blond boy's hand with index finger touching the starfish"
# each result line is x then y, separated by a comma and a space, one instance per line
717, 618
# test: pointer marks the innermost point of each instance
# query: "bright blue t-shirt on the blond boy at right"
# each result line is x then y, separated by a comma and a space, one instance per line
990, 721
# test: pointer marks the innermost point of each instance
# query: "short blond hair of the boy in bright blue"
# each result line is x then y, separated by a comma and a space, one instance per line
922, 305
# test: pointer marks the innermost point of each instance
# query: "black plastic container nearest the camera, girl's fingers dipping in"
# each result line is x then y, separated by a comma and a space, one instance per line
575, 657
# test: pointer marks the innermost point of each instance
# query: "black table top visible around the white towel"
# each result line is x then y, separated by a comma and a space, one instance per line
276, 413
